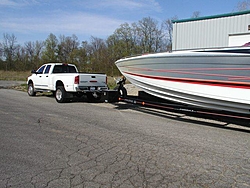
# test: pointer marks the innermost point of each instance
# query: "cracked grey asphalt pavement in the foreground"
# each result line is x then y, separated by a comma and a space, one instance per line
46, 144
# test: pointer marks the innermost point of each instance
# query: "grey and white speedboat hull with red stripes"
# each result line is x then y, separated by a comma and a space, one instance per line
216, 79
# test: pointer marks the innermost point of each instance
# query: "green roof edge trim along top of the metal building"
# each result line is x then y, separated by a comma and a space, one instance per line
212, 17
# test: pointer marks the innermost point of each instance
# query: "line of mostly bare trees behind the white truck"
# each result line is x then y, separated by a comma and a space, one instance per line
96, 55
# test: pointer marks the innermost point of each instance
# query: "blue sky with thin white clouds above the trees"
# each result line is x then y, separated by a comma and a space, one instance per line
34, 20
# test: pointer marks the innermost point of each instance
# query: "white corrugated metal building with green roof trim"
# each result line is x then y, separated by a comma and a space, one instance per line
212, 31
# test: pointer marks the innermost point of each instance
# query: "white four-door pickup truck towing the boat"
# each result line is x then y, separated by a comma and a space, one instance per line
65, 82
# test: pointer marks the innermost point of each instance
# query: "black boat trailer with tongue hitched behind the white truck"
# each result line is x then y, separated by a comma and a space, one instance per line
119, 94
